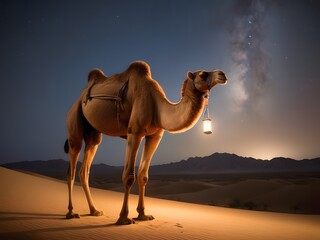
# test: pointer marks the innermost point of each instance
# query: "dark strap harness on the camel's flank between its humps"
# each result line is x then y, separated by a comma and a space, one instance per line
118, 98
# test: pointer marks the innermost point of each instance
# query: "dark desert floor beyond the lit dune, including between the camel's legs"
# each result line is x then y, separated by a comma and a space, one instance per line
274, 192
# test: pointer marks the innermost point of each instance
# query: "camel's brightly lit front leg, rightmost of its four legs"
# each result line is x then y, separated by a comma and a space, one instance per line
150, 147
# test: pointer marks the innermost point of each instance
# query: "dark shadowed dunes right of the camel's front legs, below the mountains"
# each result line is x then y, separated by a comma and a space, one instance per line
277, 195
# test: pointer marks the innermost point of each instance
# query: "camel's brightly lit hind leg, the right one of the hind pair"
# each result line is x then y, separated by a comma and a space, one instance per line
92, 139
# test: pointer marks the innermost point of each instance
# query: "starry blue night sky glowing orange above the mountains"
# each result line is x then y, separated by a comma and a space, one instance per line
270, 51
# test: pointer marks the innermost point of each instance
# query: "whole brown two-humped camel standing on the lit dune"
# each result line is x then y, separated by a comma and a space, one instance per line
133, 106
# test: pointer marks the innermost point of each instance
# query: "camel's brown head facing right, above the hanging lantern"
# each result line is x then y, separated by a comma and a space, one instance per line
204, 80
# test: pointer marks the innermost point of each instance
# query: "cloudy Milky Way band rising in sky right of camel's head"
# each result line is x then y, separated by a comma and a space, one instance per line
249, 59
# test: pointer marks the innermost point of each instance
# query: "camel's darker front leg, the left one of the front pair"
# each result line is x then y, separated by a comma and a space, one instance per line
128, 175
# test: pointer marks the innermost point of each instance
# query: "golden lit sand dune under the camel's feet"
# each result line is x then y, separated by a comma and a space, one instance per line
33, 207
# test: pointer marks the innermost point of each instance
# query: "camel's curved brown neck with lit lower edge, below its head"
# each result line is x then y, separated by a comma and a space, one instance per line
181, 116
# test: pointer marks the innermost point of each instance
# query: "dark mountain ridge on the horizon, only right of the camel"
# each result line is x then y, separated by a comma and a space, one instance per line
231, 163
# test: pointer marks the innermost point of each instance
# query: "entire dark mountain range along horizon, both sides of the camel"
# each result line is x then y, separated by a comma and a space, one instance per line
215, 163
